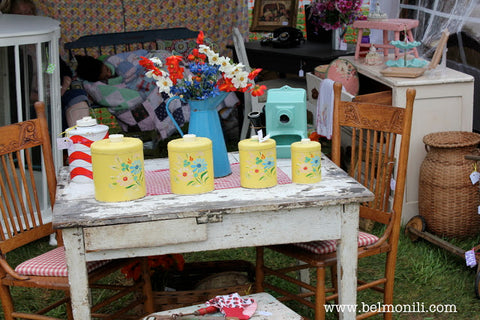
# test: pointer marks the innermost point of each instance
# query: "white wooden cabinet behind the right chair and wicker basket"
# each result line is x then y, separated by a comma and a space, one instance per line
444, 102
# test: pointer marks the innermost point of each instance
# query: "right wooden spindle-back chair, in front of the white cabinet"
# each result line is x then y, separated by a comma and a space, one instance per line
375, 131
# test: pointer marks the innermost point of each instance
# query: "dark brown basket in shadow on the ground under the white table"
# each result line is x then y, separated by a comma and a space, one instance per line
199, 274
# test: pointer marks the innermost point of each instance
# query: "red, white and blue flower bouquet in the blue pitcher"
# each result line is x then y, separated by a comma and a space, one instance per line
205, 76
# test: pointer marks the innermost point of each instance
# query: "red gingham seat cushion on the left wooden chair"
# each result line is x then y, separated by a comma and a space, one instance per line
51, 264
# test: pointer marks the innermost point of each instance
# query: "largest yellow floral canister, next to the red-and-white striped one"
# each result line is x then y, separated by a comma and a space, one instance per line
118, 170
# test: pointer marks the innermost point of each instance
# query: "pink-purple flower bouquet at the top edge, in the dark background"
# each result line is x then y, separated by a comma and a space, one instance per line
333, 14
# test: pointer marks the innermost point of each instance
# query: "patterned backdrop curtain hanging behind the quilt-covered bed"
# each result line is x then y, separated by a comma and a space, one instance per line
215, 18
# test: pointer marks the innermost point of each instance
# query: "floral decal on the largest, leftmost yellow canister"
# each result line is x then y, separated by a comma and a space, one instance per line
130, 173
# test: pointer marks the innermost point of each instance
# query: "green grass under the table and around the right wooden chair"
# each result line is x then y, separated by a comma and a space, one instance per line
425, 275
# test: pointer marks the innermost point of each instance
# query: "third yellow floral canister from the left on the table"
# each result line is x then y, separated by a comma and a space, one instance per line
258, 163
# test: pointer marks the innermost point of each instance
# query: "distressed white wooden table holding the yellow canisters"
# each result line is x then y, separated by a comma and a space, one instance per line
221, 219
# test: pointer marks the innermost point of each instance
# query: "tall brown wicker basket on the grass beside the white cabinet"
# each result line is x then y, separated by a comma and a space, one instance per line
447, 199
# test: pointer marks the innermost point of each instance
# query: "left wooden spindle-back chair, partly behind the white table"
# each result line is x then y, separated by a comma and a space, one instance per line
25, 219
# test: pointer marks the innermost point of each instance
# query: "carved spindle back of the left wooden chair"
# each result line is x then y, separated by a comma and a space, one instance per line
25, 160
